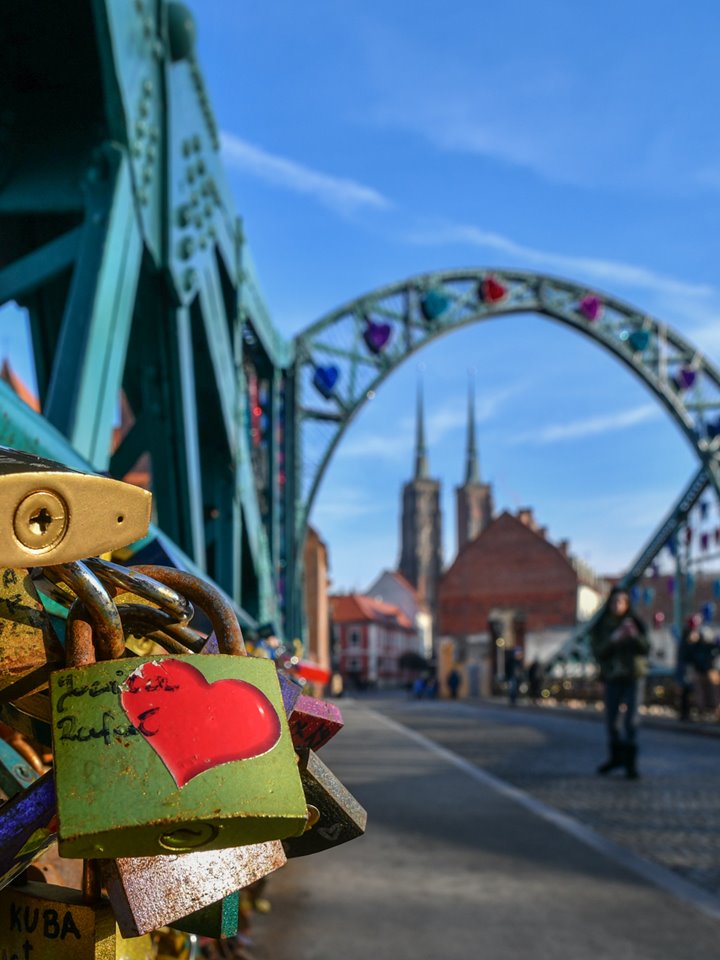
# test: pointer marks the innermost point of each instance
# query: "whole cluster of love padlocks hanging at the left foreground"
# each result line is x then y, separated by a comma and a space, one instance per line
152, 774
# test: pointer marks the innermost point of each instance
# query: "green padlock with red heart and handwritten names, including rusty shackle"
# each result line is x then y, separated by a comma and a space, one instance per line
172, 754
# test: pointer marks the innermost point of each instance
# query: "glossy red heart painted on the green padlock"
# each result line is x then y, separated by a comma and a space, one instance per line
194, 725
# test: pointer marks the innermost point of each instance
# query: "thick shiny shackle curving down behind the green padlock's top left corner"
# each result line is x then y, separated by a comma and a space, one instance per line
95, 607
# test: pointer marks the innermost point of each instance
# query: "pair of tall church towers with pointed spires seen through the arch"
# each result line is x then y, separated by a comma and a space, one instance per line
421, 561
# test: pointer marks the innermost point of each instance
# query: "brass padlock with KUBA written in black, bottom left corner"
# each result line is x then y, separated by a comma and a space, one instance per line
43, 920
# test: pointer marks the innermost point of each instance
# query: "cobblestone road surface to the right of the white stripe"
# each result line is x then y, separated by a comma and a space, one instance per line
670, 816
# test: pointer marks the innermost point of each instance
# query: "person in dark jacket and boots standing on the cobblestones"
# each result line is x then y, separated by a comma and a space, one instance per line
620, 647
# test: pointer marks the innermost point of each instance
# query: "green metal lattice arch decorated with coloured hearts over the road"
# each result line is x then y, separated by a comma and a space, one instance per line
342, 360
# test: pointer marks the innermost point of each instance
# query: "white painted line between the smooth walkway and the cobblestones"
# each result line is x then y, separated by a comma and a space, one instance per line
653, 873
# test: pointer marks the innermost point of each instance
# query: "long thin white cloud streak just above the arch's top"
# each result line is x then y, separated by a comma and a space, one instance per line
597, 269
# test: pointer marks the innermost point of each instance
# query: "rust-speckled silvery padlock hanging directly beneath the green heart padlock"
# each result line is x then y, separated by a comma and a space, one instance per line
151, 892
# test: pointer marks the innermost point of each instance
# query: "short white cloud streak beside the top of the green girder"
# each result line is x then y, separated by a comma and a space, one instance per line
339, 193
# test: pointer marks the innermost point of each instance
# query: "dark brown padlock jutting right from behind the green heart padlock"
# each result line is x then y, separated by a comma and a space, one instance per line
339, 816
